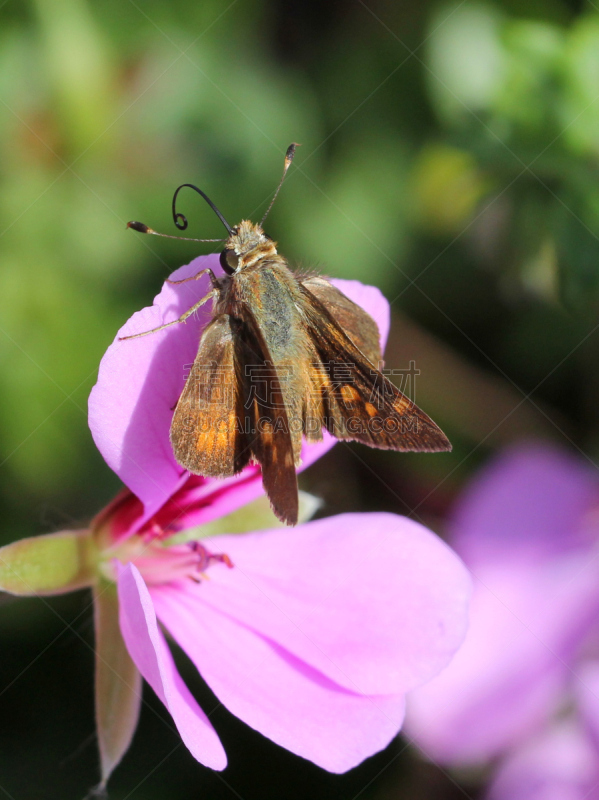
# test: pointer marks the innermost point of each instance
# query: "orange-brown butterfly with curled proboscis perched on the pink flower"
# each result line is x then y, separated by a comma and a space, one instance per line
283, 357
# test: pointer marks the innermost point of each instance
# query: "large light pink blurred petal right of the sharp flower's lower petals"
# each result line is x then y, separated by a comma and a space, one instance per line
508, 678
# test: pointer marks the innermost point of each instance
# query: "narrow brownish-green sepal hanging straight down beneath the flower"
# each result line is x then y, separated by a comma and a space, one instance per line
118, 682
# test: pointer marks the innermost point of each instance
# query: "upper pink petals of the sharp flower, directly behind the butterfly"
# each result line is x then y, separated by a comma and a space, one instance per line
140, 380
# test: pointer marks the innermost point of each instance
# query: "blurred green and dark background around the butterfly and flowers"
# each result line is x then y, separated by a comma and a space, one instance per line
450, 155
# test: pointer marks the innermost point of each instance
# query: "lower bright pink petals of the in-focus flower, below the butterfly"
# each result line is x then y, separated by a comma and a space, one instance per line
313, 637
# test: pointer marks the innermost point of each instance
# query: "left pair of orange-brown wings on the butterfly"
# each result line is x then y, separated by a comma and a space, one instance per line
232, 409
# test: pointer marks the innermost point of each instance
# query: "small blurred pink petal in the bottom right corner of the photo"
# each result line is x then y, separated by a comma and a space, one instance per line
559, 764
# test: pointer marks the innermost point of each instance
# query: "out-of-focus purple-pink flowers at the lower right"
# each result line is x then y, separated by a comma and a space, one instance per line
523, 691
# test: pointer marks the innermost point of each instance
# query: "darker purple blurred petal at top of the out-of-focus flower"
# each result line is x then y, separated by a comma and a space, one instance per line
527, 504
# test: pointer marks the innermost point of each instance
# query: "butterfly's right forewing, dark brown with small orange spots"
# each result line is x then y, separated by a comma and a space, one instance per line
356, 401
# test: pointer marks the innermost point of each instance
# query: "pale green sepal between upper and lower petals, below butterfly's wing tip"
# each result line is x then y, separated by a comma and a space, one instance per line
255, 516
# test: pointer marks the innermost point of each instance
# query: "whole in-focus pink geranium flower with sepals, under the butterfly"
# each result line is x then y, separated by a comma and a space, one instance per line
311, 635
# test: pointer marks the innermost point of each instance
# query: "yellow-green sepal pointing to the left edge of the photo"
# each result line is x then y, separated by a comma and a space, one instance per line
51, 564
